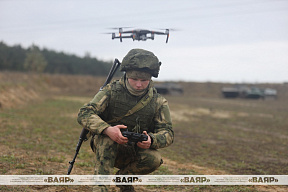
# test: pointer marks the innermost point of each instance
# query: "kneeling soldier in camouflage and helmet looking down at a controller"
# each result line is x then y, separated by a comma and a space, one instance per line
129, 104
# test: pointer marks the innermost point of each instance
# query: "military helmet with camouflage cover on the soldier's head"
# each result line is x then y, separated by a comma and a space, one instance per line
142, 60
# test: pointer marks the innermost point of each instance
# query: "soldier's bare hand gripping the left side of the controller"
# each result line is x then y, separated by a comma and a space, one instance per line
115, 134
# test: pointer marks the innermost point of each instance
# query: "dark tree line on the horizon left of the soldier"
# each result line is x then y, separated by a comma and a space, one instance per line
34, 59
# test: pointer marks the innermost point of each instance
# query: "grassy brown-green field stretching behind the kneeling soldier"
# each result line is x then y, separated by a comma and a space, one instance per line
213, 135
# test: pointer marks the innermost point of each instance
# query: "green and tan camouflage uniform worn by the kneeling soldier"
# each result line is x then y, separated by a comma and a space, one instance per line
114, 101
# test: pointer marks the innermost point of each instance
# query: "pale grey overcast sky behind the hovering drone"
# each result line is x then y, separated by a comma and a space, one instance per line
214, 40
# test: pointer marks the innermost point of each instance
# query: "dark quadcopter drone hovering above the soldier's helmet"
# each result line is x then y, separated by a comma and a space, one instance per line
139, 34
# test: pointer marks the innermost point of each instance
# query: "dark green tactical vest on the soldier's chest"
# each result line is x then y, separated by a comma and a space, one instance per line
121, 101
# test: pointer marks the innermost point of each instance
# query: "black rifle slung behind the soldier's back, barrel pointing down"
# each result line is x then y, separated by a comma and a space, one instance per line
84, 132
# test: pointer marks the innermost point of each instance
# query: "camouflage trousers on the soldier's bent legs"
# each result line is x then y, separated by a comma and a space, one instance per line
130, 160
